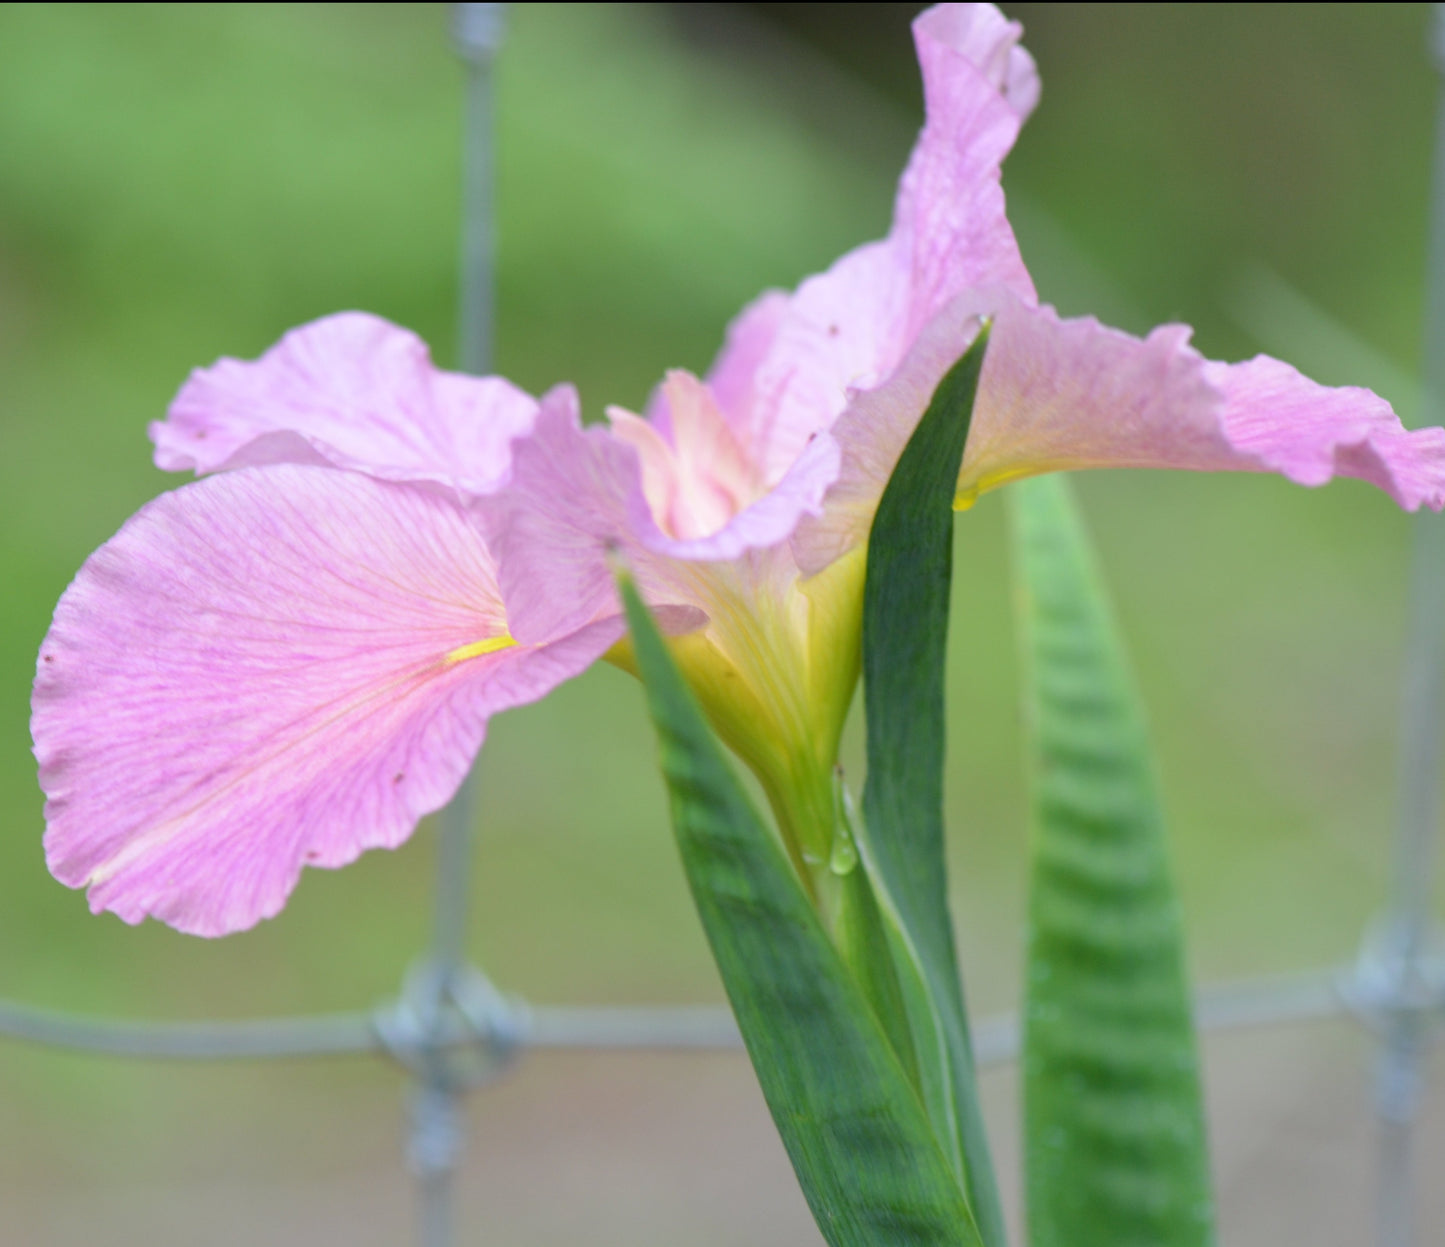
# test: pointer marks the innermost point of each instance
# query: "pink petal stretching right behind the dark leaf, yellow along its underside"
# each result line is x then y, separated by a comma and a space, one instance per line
1063, 395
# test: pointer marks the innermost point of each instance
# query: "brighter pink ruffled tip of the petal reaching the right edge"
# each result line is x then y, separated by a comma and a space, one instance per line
1288, 424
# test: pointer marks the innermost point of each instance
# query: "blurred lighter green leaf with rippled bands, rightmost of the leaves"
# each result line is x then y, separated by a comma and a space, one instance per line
1115, 1145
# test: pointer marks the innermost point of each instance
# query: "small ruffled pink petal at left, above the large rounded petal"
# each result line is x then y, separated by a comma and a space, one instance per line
352, 391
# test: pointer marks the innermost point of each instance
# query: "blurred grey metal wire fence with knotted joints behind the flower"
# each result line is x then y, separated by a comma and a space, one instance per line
452, 1031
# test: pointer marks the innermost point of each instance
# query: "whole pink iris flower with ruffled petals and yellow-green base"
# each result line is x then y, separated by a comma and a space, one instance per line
294, 661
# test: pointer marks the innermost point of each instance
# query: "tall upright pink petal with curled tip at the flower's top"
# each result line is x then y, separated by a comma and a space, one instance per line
790, 363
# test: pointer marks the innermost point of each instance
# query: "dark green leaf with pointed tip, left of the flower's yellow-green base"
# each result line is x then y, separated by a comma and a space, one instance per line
859, 1139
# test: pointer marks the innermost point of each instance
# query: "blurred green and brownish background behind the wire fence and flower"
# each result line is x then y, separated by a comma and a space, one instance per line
186, 183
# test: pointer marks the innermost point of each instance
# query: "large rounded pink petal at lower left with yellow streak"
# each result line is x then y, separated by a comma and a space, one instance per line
264, 671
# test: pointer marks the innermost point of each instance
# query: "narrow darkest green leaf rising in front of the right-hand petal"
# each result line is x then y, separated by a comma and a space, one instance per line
905, 629
